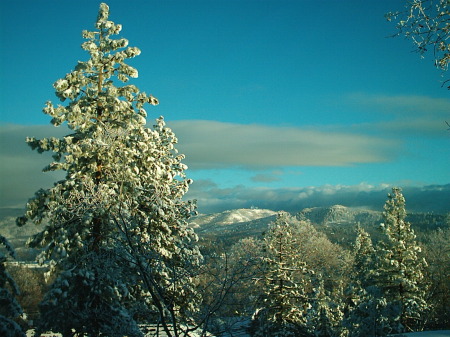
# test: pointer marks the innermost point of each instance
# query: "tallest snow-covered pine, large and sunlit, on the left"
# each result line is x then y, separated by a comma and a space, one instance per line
116, 232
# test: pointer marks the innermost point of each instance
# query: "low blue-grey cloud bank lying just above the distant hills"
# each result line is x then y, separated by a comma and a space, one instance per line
211, 198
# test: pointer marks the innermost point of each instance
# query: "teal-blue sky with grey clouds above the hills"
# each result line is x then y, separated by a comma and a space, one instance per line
274, 102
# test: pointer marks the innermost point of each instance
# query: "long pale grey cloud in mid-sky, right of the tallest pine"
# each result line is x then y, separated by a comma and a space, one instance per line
212, 144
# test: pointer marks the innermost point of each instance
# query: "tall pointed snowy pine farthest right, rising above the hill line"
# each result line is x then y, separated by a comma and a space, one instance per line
399, 268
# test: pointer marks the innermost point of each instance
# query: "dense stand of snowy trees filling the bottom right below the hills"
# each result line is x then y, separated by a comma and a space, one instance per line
309, 286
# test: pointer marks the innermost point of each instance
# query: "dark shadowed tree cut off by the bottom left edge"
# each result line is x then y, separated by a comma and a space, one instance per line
10, 309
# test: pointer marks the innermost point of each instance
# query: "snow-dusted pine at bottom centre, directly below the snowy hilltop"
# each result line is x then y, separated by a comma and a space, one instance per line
285, 286
